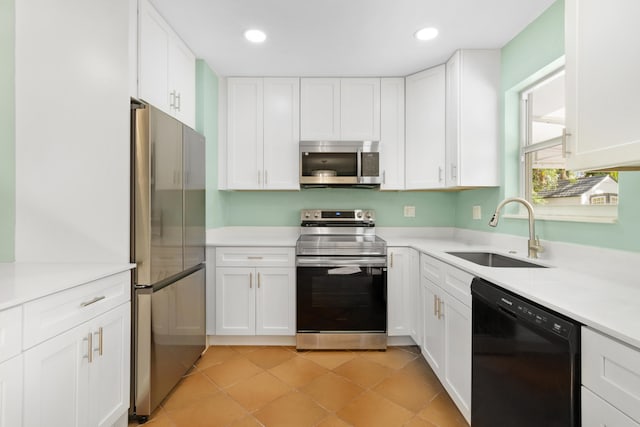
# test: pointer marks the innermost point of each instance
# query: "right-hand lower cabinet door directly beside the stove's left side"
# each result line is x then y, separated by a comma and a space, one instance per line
275, 301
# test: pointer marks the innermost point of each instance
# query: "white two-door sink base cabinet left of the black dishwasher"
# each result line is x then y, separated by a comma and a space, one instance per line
446, 343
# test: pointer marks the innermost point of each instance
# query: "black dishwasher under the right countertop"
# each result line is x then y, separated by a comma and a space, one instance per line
525, 362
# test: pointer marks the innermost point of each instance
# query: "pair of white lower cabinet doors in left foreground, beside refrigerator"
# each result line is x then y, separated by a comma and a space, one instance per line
80, 377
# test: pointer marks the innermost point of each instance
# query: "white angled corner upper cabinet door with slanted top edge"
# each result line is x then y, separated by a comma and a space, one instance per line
425, 129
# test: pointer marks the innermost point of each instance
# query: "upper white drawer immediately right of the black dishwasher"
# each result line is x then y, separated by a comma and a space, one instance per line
612, 370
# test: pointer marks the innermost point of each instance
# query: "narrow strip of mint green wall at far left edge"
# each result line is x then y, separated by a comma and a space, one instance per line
7, 132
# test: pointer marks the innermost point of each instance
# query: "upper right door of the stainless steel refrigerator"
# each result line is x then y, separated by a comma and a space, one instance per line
194, 197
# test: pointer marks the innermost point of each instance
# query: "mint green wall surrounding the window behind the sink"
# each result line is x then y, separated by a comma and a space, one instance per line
539, 46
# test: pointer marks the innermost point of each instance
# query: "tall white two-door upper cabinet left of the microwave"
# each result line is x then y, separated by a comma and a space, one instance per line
262, 133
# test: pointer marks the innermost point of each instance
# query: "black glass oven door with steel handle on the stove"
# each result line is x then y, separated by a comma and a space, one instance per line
342, 295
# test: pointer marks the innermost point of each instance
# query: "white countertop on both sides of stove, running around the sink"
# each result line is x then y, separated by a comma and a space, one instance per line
594, 286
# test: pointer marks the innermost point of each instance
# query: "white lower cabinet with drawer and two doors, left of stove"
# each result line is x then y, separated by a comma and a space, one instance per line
255, 291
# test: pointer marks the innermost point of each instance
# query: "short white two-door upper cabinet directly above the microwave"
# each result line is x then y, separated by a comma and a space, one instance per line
335, 109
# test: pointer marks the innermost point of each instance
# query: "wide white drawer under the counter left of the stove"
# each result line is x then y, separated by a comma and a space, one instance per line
255, 257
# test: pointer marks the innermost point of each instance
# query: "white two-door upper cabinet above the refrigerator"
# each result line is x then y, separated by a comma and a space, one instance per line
166, 66
